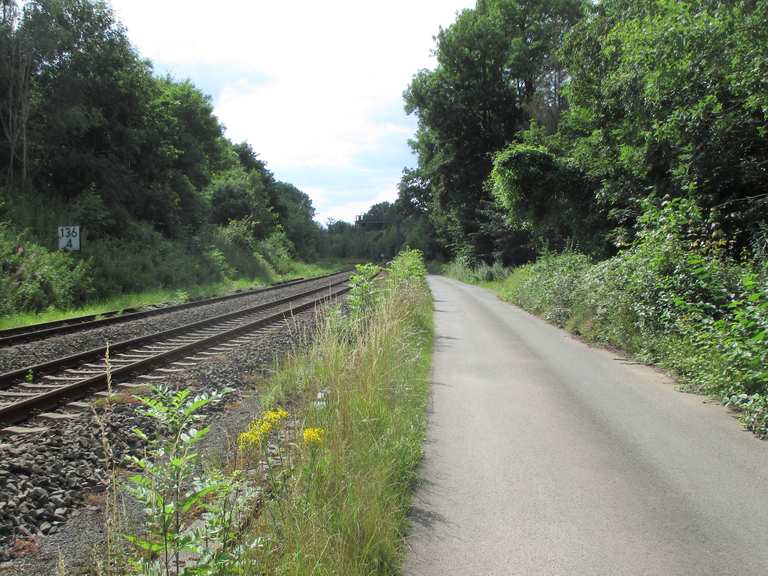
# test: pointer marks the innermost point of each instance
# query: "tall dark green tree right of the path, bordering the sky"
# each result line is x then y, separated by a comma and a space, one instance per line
497, 66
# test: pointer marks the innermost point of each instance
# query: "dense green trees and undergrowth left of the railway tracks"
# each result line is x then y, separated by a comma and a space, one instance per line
92, 136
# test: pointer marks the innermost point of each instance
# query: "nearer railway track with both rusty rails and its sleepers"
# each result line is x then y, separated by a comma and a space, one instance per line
60, 383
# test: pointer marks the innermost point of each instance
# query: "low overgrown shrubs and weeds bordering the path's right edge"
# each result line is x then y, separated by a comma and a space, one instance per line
673, 298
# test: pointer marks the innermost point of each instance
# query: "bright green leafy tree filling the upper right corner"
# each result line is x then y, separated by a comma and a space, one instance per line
669, 98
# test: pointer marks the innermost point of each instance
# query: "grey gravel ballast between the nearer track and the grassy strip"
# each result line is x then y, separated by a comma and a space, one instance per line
51, 485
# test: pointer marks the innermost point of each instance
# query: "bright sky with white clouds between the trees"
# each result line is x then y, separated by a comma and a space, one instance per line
314, 86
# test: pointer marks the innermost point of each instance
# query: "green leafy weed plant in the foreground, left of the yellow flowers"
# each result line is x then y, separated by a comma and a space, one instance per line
175, 491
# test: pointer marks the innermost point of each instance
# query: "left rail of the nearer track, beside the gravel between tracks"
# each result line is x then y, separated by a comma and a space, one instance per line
12, 377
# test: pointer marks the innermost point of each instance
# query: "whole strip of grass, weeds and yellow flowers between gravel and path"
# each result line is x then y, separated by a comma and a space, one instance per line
319, 483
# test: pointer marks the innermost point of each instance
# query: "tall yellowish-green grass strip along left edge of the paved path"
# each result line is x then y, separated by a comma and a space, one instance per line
365, 385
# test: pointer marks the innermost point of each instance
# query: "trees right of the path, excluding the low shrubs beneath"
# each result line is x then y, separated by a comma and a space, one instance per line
549, 124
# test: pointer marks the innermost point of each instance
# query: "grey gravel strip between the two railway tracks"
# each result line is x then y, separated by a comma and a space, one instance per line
25, 354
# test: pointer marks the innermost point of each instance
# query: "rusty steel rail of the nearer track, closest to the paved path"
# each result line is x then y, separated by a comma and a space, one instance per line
21, 410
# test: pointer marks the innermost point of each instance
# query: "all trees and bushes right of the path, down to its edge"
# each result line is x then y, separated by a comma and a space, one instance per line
643, 194
